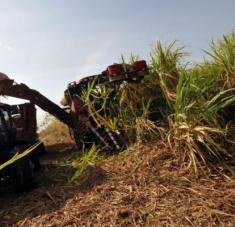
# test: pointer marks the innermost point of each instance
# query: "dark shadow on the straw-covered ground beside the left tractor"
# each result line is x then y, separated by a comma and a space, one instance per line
54, 188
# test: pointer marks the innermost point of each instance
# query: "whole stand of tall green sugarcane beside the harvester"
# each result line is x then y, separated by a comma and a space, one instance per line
190, 108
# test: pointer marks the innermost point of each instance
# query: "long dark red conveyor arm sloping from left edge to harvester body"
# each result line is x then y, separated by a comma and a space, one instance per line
10, 88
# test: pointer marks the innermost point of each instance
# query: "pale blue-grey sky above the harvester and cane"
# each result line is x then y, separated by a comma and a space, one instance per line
49, 43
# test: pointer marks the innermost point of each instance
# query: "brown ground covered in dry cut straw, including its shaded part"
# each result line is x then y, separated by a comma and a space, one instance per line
139, 187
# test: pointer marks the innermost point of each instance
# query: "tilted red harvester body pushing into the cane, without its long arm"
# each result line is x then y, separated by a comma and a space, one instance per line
89, 131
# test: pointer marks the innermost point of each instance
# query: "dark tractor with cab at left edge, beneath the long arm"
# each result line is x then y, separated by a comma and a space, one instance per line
17, 134
